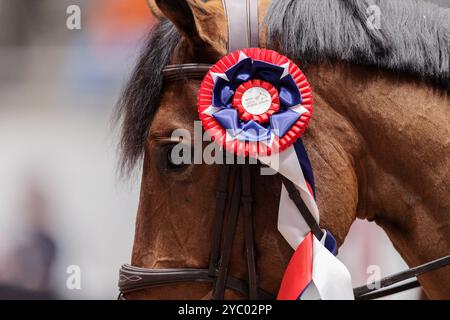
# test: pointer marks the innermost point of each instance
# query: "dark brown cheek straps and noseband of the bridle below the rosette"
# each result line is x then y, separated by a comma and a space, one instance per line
234, 186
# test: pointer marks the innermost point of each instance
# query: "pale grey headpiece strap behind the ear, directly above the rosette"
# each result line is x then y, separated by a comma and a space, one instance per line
243, 24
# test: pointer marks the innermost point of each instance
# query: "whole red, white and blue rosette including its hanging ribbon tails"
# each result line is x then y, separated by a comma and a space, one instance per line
257, 102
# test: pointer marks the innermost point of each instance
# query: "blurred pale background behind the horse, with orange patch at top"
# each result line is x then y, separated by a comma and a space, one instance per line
64, 211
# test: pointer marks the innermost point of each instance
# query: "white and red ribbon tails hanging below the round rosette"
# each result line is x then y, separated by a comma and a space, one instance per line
330, 279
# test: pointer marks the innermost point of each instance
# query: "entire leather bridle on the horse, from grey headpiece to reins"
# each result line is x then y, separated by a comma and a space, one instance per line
233, 192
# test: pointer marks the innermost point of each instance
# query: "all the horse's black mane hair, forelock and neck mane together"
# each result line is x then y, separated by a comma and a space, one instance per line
414, 38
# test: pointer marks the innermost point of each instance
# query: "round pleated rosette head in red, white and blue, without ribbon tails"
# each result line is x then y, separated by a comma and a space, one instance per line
255, 102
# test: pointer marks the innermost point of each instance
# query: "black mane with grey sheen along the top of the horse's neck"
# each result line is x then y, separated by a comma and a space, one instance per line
414, 36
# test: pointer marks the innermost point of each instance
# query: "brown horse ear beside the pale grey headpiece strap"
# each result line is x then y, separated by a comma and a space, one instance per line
201, 22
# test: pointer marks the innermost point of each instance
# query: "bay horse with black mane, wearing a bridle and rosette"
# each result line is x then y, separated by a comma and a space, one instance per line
378, 141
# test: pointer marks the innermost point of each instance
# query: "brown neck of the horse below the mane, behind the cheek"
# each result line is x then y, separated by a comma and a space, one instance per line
405, 180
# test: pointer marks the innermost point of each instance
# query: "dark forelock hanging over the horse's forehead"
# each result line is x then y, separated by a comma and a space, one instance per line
140, 98
